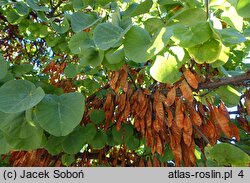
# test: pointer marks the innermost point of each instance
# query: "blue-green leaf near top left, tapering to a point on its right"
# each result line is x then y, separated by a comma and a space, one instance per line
81, 21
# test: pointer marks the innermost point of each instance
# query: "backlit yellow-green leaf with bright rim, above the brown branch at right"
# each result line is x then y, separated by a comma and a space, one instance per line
208, 52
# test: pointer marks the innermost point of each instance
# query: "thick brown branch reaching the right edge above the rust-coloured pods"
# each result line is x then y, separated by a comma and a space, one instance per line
236, 80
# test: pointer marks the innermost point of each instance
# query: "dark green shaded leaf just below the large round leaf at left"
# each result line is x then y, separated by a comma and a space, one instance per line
74, 142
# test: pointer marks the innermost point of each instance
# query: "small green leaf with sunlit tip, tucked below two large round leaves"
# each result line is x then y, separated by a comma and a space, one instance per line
115, 56
